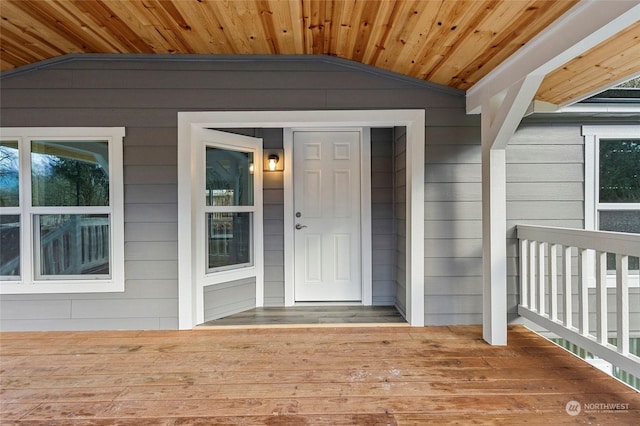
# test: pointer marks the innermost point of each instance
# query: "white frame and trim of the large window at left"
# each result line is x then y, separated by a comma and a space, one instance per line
28, 283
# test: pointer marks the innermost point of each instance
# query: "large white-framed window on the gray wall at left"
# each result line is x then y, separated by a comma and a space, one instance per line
61, 210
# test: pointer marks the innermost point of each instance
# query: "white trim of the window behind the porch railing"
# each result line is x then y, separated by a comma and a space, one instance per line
592, 136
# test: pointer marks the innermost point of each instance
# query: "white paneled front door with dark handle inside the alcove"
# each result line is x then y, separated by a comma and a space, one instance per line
327, 216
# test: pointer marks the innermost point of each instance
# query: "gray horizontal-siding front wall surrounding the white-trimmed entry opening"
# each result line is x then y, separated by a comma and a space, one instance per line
145, 94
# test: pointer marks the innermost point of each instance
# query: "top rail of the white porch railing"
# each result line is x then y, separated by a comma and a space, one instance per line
605, 241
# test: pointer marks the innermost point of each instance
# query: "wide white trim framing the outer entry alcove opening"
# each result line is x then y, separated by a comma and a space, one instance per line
413, 120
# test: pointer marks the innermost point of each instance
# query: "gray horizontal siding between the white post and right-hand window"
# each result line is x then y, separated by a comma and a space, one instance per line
545, 178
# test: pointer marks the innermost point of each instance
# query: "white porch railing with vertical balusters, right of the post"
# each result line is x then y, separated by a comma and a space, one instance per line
546, 263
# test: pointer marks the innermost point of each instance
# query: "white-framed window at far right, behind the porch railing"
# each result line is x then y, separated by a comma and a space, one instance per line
612, 182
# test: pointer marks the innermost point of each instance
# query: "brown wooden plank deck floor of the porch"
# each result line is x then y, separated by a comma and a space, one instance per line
300, 376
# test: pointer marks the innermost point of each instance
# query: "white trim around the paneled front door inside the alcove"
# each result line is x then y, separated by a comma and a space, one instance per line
365, 267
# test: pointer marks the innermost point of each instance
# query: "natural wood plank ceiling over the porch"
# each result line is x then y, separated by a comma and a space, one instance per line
451, 42
